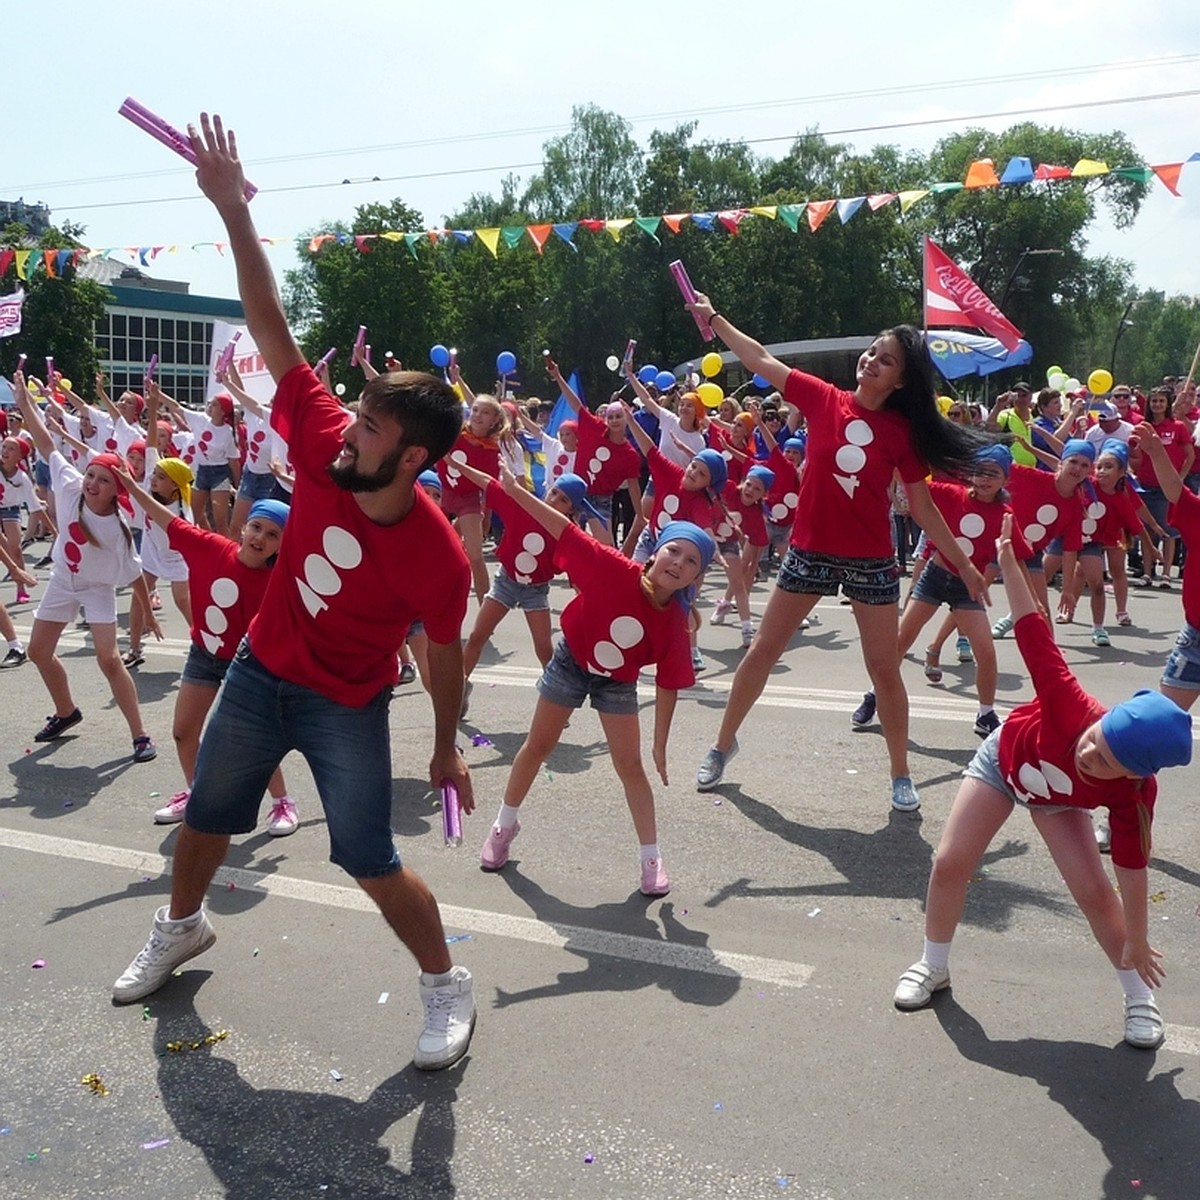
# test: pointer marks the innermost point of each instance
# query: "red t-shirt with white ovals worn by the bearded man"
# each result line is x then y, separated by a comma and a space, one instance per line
346, 590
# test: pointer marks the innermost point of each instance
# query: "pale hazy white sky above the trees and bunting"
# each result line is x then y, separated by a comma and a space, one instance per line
446, 88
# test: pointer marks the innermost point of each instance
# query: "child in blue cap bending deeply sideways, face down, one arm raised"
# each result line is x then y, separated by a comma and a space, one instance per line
1063, 755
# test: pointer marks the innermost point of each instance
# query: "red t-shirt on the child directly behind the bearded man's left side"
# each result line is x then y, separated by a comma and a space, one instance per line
226, 593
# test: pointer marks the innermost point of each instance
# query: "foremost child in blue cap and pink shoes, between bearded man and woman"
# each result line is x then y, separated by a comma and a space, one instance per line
622, 619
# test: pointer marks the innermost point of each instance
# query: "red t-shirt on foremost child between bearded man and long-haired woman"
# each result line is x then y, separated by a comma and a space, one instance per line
611, 626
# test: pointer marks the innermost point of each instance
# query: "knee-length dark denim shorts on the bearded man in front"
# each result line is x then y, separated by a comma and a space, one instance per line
259, 718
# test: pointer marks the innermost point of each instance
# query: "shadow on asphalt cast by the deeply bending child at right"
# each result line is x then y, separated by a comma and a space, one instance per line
1142, 1124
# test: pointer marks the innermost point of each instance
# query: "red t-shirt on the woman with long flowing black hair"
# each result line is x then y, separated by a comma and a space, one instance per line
844, 507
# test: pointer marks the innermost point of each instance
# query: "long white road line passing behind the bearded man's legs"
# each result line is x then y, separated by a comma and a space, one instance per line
677, 956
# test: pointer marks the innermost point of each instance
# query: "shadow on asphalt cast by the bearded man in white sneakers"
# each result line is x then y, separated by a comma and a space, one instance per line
271, 1144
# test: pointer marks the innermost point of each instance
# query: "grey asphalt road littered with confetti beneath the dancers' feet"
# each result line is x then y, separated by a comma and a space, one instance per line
734, 1040
